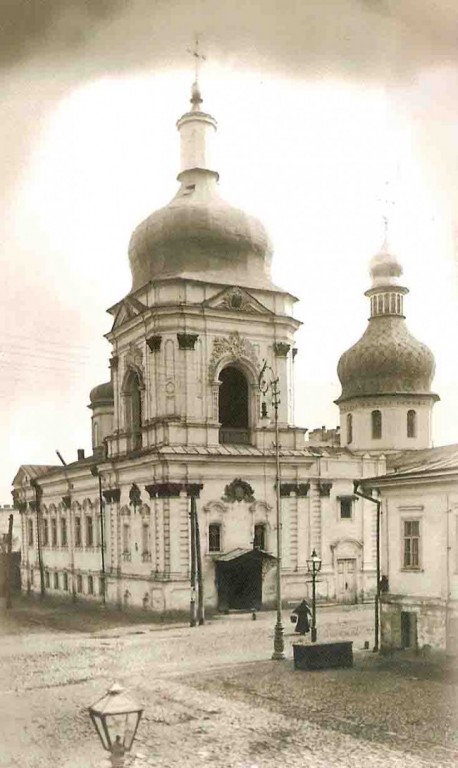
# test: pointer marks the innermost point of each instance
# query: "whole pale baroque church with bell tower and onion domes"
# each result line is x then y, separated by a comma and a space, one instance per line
183, 419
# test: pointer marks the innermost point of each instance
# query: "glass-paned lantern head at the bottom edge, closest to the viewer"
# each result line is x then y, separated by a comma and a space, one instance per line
116, 717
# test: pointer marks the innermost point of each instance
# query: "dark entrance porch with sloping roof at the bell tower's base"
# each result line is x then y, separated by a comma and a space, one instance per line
239, 578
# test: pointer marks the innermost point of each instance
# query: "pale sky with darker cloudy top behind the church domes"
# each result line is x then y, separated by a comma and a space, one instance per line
331, 115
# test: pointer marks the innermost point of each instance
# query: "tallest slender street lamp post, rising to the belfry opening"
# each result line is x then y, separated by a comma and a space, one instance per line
266, 384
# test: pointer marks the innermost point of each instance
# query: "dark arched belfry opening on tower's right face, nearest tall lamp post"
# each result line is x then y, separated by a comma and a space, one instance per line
233, 406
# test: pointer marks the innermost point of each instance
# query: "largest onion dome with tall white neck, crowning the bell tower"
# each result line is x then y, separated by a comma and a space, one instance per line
198, 234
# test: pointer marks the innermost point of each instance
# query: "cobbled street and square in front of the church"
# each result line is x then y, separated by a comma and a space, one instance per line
212, 697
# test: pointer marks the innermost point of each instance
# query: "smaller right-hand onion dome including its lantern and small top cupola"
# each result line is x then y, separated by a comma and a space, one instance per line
387, 360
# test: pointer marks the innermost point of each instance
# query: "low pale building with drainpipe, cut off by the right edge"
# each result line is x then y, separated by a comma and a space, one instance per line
419, 497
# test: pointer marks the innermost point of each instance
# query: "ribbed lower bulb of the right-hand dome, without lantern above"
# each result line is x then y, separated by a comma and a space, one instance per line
386, 360
